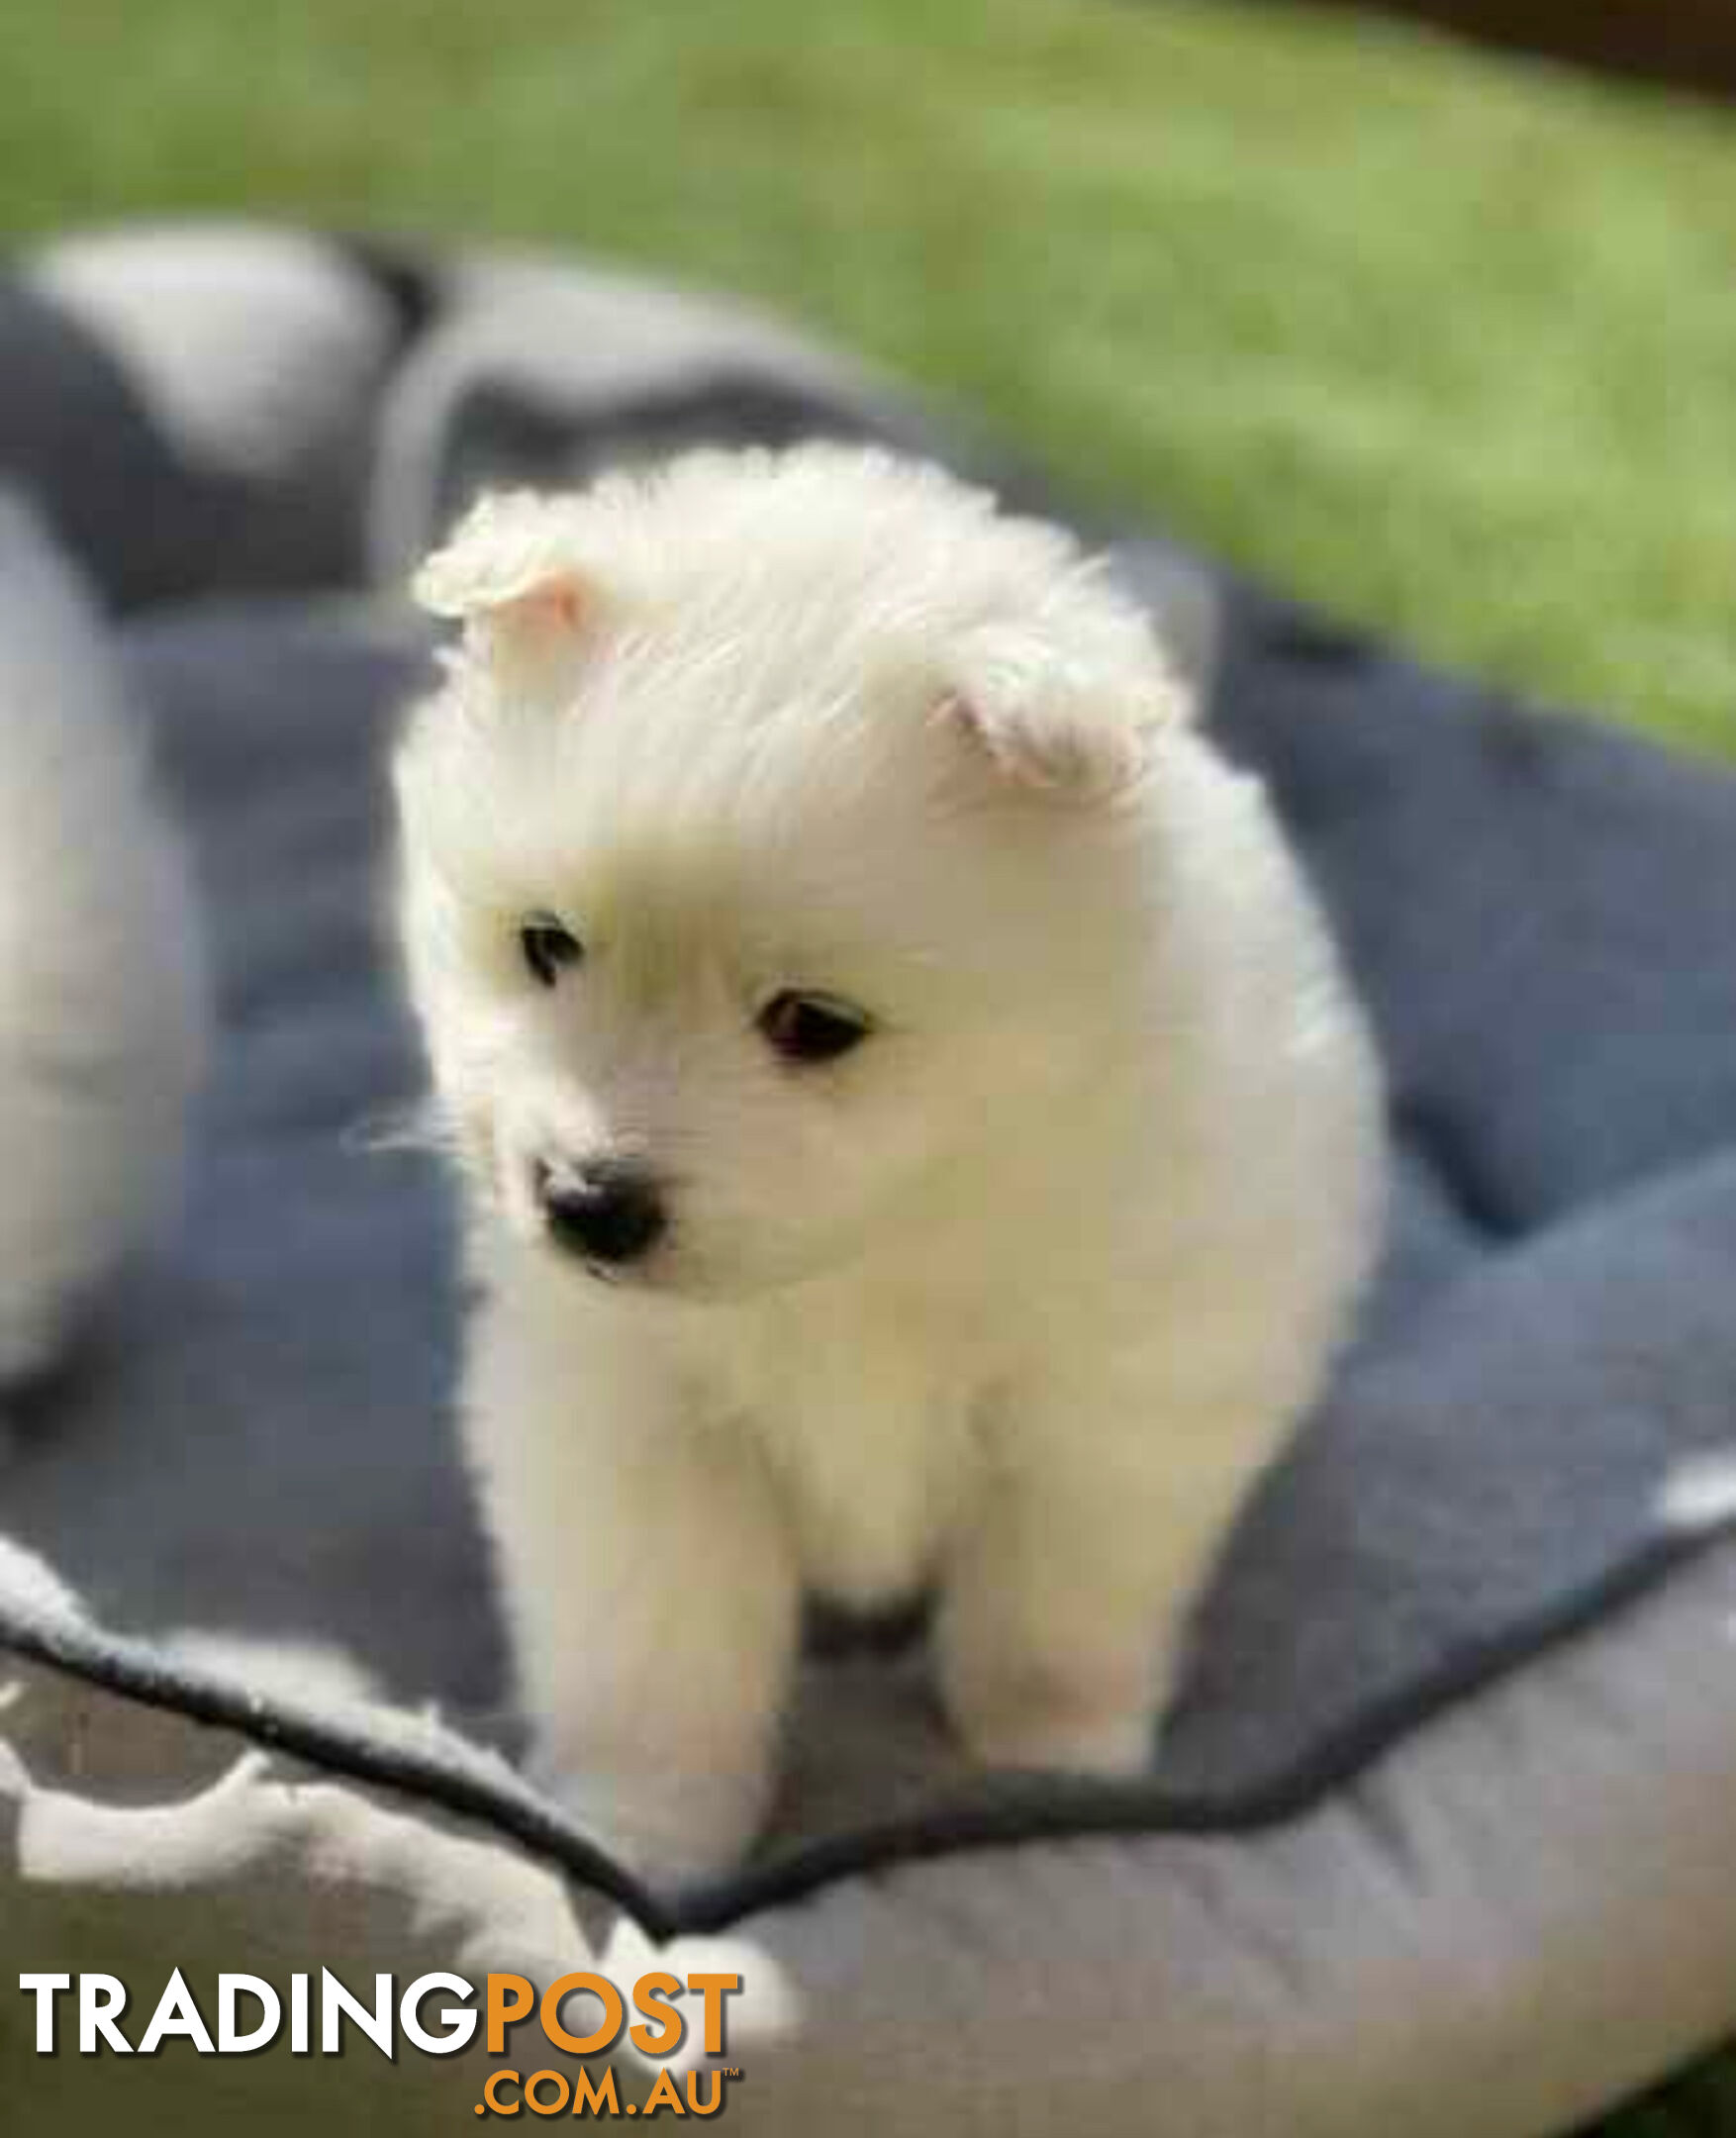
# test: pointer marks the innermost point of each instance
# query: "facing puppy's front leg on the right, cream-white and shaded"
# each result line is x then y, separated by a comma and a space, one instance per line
1066, 1602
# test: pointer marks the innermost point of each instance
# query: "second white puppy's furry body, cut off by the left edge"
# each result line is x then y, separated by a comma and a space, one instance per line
102, 982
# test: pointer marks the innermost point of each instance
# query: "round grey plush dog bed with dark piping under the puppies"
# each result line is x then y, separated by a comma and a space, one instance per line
1442, 1833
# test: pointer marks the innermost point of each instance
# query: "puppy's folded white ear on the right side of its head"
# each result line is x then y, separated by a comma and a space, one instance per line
1074, 728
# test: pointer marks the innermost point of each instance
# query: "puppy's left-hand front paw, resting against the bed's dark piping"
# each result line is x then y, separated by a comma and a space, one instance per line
670, 1831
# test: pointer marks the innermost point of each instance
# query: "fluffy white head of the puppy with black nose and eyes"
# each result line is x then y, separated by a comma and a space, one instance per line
771, 861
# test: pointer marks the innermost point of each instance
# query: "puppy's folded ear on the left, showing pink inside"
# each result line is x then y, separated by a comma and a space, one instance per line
510, 576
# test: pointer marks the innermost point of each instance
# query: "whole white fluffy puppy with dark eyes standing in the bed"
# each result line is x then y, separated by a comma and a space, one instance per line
918, 1124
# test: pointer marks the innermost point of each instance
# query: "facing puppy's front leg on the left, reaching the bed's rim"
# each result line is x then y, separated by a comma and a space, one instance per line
655, 1611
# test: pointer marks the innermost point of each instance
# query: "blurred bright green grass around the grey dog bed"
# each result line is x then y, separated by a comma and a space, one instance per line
1442, 343
